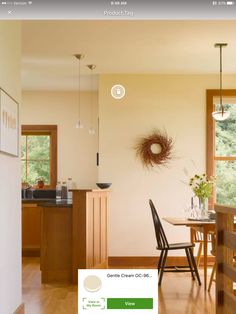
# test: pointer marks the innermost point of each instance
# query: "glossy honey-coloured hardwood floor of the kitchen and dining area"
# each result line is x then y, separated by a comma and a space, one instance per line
178, 294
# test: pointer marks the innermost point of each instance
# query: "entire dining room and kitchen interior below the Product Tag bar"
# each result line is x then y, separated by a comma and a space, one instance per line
130, 104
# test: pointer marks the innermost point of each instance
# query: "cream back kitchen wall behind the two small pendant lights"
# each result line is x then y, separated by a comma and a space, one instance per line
76, 148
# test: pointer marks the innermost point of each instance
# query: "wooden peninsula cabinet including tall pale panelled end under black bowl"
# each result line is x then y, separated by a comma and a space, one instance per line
74, 237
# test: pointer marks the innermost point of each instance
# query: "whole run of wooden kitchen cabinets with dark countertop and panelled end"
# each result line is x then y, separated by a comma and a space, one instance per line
67, 234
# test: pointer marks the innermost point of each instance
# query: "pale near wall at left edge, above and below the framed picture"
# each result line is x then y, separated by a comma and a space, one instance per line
10, 208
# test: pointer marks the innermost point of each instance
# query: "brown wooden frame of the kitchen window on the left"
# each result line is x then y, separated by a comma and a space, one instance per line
46, 130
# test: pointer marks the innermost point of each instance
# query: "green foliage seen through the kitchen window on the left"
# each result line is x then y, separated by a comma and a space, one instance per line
37, 150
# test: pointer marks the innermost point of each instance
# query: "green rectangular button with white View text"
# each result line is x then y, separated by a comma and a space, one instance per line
130, 304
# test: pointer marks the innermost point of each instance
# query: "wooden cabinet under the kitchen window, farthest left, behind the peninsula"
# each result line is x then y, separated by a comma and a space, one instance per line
31, 224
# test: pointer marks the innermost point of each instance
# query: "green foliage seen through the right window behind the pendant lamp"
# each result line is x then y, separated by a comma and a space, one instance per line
226, 170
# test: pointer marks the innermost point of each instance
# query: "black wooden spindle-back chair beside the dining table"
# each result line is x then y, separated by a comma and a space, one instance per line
164, 247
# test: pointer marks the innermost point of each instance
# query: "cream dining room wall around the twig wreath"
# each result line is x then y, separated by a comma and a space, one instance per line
176, 104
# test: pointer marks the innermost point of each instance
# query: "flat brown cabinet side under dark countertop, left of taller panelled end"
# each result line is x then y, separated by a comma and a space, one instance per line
56, 248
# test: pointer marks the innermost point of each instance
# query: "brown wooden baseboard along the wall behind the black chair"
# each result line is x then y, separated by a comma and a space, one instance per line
150, 261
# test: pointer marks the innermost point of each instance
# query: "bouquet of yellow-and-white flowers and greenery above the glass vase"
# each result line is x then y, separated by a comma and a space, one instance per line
202, 186
